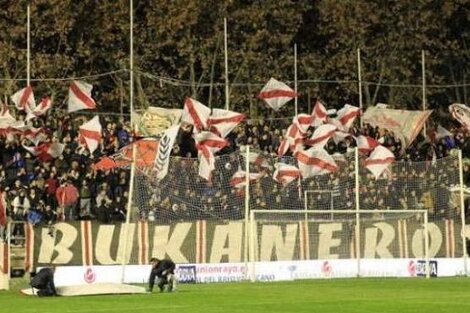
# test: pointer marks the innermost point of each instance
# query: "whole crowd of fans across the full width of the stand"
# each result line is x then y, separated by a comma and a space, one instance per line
67, 188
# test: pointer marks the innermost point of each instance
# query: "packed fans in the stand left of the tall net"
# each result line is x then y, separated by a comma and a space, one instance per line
66, 188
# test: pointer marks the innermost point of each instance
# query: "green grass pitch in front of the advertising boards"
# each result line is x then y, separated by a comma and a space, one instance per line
339, 295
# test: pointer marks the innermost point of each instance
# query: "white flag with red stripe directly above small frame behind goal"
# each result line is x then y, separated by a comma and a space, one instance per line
314, 162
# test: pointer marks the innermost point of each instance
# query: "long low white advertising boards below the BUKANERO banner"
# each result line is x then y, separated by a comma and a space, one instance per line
264, 271
